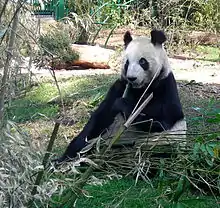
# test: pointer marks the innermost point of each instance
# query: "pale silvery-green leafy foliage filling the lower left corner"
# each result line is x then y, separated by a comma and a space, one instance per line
19, 163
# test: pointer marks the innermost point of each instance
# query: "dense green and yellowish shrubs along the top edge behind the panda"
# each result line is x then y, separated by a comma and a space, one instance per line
184, 13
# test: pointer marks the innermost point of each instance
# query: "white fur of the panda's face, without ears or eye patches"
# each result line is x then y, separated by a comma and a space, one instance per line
142, 47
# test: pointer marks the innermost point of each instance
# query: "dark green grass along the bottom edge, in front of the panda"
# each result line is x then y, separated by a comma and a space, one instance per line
124, 193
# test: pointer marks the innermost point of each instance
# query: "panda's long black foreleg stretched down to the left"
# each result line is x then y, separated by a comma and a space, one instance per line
99, 121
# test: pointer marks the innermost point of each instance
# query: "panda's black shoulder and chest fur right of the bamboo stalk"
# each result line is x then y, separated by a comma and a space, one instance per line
165, 108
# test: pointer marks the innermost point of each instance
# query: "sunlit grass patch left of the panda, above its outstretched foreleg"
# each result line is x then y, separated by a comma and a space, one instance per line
36, 104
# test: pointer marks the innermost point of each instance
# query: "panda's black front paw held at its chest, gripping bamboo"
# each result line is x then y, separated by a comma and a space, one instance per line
124, 106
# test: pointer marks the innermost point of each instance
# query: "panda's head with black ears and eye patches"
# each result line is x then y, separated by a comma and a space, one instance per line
143, 57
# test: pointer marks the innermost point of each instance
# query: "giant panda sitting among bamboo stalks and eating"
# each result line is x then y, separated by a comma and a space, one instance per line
143, 59
